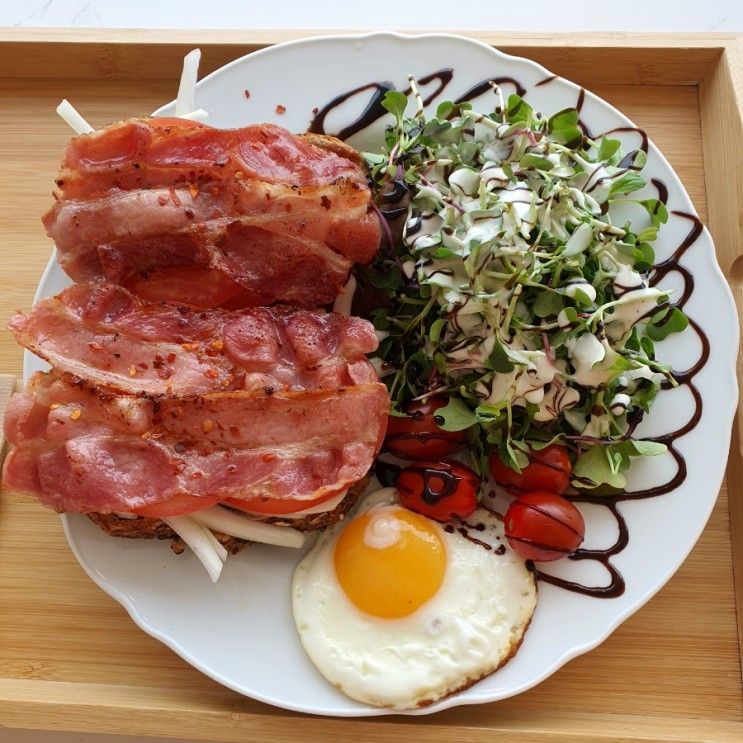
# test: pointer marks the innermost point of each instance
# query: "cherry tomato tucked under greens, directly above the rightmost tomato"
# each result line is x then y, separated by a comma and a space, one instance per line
548, 469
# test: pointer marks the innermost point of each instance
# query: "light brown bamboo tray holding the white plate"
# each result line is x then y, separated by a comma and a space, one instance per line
71, 659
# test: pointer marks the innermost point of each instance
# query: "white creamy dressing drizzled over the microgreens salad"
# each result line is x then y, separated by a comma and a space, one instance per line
463, 208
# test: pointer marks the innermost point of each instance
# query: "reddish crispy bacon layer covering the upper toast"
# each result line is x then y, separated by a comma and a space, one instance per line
266, 215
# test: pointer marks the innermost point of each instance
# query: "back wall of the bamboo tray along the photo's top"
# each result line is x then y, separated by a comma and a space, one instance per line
618, 58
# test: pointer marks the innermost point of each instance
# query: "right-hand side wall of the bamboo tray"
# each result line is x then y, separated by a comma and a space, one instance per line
721, 98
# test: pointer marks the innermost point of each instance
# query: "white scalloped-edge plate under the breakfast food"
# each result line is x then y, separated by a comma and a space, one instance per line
240, 631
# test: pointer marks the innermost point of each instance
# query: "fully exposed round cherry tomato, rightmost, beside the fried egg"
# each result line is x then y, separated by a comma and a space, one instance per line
544, 526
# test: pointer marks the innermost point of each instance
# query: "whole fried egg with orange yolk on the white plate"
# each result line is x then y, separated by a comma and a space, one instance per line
398, 611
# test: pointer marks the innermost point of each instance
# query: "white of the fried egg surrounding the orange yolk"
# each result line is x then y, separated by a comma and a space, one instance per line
468, 629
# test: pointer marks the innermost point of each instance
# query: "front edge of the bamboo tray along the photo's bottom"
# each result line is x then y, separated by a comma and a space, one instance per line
87, 708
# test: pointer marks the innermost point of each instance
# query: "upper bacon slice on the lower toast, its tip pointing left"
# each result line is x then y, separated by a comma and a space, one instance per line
103, 334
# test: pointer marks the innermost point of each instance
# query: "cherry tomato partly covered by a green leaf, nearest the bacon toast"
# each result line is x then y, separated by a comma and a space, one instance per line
418, 436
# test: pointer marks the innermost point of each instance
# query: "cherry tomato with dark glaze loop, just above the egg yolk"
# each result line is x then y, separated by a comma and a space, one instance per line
439, 490
